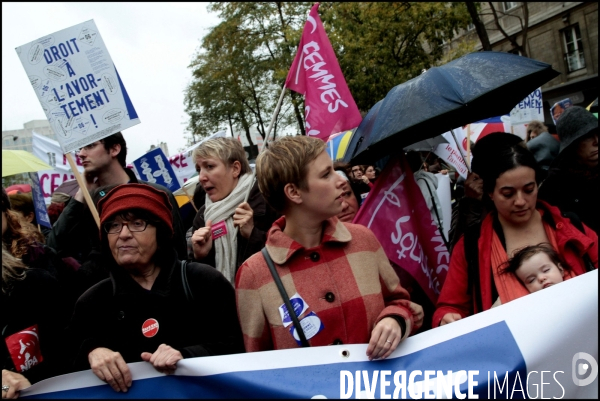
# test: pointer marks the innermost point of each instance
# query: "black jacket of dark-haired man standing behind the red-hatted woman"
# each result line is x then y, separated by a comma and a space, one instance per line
75, 234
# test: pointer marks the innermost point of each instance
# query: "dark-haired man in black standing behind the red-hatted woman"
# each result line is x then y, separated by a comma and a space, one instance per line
75, 233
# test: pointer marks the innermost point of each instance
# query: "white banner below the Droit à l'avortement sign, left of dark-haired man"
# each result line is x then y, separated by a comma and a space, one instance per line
50, 151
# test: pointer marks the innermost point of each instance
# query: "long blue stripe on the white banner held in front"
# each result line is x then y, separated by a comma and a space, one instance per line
501, 355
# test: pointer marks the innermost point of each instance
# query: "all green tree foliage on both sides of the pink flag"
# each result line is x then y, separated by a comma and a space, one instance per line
242, 63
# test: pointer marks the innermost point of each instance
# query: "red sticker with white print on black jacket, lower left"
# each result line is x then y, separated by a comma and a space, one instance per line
24, 348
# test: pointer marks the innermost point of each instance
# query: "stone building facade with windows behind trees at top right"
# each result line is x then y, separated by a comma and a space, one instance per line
563, 34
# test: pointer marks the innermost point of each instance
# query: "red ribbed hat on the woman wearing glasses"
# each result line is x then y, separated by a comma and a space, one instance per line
126, 197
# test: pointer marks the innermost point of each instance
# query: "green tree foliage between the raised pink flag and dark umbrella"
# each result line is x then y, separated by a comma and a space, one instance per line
381, 45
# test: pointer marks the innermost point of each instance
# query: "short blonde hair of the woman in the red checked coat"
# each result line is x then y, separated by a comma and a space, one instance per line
285, 162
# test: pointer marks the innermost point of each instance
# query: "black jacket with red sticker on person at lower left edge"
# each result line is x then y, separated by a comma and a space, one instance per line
34, 302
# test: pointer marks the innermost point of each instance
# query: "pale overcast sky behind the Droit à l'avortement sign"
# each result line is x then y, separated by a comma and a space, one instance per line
151, 44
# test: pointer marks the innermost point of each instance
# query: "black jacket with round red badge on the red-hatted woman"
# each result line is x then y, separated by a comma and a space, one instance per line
111, 315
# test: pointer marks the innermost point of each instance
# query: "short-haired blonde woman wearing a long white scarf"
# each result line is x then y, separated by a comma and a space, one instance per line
226, 176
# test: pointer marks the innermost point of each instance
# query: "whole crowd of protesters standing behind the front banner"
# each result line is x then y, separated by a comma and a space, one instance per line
272, 259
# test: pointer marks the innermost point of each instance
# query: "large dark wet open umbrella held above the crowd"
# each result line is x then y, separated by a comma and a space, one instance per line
474, 87
